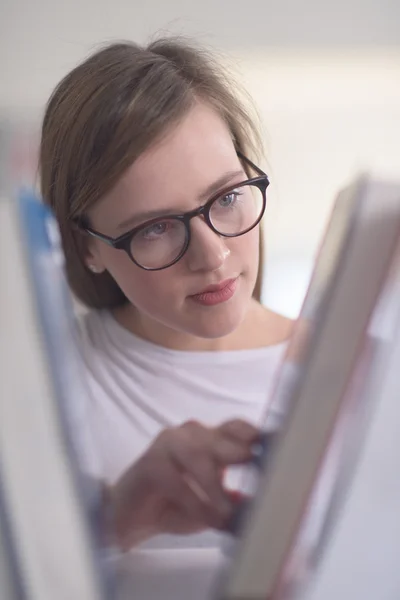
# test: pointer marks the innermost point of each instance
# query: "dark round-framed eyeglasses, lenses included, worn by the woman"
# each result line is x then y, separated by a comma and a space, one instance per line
159, 243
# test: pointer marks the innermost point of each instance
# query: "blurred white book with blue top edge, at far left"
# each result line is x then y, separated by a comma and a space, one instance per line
50, 512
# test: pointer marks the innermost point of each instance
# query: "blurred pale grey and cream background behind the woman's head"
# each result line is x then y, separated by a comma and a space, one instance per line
325, 78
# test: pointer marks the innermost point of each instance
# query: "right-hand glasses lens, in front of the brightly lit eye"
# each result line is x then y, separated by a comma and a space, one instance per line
238, 210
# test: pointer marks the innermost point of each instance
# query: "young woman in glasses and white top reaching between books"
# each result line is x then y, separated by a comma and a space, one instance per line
147, 161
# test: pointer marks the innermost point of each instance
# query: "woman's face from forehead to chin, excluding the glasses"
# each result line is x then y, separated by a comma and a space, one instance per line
180, 173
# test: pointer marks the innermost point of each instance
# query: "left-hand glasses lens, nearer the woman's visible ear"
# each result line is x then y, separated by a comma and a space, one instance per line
159, 244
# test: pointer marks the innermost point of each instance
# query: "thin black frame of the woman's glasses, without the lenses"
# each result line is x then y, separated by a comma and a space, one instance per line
123, 242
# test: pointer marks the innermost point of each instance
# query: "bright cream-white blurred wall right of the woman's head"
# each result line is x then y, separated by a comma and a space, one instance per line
327, 115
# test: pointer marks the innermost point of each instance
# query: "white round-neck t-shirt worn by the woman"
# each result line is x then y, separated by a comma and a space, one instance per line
136, 389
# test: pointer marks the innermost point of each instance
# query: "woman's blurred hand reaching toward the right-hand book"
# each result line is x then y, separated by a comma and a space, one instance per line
176, 485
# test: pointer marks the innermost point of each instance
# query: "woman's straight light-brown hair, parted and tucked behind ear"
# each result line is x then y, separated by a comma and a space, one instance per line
104, 114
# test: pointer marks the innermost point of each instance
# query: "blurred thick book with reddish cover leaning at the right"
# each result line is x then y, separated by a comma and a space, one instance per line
331, 379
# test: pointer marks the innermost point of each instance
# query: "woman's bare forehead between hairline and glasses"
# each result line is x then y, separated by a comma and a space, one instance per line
176, 170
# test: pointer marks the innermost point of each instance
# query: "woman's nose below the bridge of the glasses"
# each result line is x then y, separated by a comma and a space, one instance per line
207, 250
